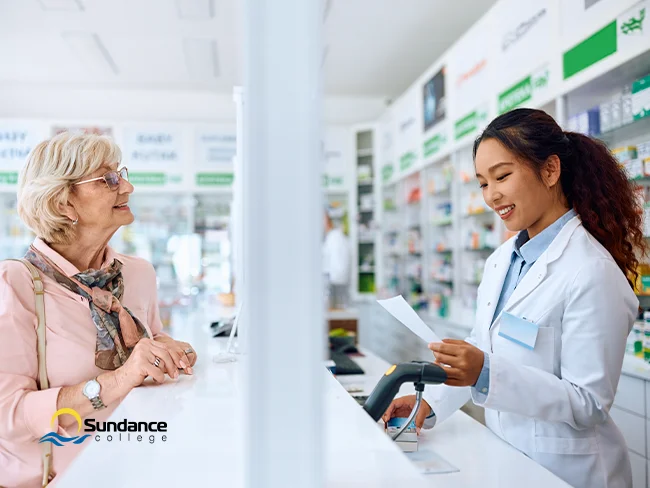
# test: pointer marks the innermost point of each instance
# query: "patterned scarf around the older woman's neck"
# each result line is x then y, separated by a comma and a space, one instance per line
118, 330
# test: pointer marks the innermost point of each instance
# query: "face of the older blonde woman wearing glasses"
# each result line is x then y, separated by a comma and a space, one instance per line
100, 210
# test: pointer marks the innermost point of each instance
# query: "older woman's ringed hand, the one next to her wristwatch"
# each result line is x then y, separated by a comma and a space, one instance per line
141, 363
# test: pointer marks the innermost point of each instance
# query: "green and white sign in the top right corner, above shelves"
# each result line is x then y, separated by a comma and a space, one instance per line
626, 31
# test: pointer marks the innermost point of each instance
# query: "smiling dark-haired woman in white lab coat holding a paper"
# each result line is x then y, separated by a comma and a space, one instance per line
555, 306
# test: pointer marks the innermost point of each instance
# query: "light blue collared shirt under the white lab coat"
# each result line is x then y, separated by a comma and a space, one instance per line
526, 251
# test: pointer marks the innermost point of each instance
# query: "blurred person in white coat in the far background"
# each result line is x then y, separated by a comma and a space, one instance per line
336, 263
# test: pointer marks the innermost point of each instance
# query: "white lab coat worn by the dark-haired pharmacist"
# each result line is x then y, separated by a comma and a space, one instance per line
552, 403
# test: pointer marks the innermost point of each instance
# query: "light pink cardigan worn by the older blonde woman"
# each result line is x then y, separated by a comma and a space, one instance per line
25, 412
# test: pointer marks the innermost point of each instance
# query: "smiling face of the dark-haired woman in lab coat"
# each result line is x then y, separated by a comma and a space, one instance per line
522, 198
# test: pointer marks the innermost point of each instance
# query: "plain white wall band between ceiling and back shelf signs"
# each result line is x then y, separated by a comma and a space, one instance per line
154, 105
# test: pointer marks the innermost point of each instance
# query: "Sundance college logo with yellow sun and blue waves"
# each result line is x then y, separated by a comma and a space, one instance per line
123, 431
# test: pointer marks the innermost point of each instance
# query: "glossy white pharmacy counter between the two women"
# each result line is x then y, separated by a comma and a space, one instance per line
204, 443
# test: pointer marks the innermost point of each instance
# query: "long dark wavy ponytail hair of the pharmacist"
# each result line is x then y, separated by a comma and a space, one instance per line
593, 182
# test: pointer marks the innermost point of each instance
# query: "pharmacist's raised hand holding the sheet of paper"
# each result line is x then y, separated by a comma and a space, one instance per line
462, 361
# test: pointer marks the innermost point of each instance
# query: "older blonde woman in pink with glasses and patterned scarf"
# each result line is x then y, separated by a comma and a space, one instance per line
103, 329
